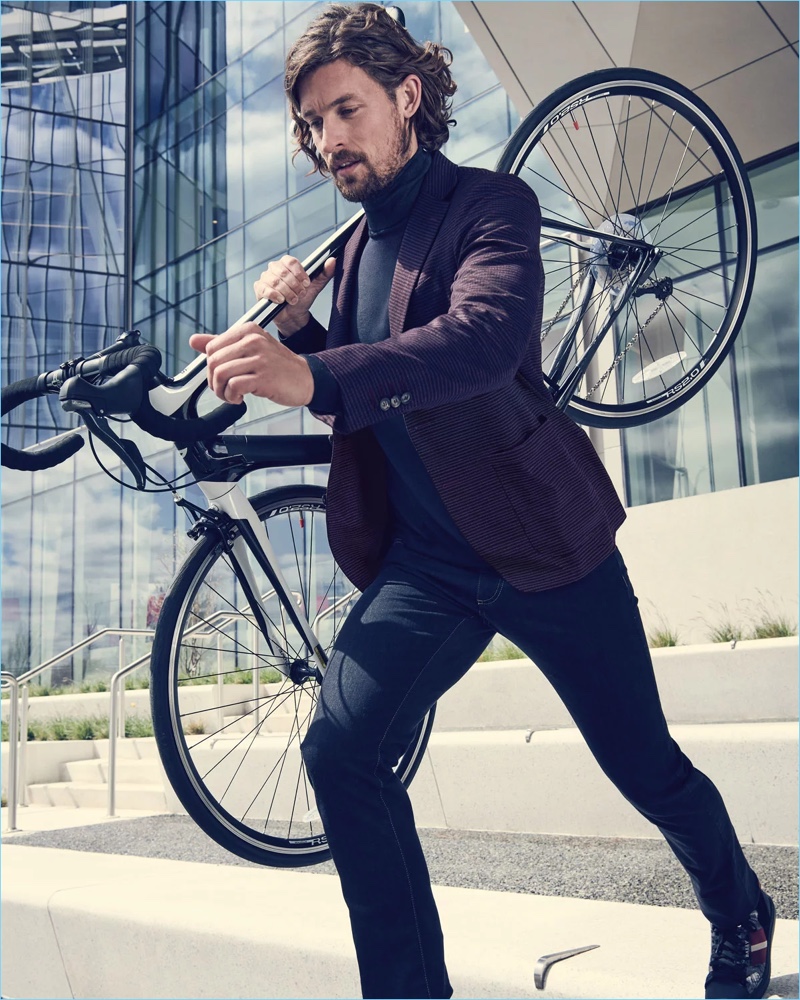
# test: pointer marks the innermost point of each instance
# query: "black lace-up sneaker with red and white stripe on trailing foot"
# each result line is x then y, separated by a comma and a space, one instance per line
740, 957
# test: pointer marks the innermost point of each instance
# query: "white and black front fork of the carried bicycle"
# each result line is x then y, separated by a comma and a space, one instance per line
253, 543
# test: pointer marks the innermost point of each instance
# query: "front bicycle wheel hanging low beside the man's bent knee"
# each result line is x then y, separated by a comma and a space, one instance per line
248, 790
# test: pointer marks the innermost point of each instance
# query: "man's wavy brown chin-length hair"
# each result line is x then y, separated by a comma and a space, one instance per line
365, 35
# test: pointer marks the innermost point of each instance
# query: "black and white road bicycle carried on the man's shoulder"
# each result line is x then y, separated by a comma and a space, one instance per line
646, 206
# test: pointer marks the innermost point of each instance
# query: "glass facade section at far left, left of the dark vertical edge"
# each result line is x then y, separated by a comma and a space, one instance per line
64, 119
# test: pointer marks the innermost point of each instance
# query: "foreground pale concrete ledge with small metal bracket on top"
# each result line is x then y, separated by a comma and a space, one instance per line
87, 925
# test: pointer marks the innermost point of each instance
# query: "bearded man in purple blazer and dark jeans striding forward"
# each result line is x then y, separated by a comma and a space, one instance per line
460, 501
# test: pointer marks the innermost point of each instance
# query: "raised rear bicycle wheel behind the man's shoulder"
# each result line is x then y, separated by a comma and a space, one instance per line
643, 156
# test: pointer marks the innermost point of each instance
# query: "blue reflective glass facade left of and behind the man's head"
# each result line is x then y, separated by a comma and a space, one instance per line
213, 197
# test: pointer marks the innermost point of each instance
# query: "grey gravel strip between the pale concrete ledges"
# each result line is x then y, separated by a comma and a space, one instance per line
632, 871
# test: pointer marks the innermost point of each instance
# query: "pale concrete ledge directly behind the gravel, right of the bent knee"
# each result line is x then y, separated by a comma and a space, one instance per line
498, 781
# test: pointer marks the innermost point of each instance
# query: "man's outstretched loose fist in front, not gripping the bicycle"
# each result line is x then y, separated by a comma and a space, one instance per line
245, 359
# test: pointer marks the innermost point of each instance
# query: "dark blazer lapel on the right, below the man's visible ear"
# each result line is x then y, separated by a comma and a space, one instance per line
423, 226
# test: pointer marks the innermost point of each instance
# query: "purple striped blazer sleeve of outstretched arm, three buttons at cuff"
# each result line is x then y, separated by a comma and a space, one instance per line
477, 343
